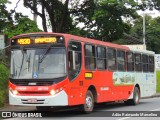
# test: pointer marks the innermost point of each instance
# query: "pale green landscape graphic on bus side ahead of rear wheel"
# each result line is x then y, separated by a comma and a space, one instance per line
121, 78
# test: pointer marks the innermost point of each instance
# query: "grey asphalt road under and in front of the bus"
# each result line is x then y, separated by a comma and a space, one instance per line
148, 109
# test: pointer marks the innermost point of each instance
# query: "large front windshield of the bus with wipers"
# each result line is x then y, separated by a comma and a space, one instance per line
38, 63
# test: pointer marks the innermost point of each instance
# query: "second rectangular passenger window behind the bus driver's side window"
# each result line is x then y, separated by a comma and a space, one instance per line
101, 58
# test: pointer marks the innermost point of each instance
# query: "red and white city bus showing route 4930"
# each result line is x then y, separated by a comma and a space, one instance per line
53, 69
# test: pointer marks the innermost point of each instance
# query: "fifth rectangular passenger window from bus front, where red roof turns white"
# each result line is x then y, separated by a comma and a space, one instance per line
130, 61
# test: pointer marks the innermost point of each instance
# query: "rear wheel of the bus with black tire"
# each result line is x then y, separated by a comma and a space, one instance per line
136, 98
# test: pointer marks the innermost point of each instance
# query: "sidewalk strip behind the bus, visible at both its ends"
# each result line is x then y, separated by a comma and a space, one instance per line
26, 108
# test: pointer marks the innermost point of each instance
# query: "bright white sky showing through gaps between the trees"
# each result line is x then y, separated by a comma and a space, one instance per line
27, 12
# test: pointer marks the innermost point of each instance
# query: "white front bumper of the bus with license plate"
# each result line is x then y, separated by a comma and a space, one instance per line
59, 99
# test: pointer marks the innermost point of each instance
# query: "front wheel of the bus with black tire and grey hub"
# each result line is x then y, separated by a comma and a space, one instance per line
89, 103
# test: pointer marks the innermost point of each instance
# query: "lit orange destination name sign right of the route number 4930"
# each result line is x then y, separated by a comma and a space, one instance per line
45, 40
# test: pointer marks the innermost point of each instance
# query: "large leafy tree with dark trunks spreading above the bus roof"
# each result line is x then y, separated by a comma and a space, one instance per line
101, 18
